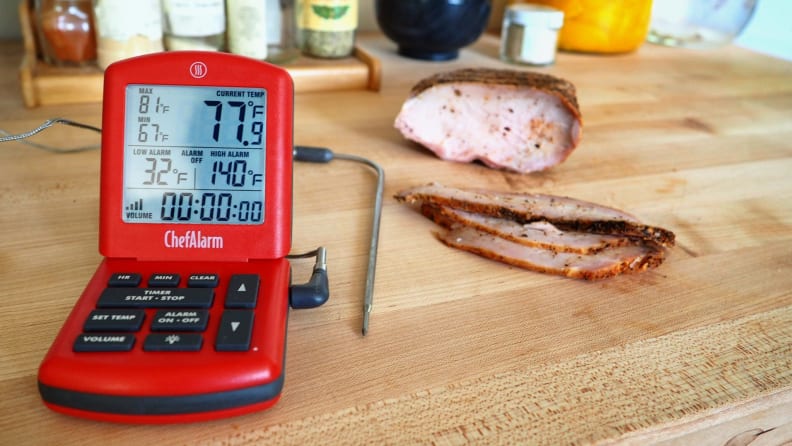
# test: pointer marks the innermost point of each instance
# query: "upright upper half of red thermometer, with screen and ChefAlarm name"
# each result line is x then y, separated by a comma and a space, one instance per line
196, 158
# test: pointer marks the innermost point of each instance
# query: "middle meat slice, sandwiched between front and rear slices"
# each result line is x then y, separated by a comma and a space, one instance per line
537, 234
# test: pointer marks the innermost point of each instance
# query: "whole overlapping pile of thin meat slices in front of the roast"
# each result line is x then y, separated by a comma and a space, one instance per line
544, 233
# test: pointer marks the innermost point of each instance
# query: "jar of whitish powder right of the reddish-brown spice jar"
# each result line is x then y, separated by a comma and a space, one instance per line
125, 29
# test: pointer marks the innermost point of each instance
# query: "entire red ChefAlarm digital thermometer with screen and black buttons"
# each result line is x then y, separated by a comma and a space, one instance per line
185, 318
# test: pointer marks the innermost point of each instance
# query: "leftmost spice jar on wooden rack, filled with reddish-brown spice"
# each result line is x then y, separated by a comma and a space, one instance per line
66, 31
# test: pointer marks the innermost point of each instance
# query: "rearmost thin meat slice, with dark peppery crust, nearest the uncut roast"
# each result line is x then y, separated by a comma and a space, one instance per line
565, 213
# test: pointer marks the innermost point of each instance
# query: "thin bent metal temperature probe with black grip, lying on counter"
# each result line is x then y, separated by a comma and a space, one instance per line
325, 155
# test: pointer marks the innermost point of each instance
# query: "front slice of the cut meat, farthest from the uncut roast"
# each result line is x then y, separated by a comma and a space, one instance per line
607, 262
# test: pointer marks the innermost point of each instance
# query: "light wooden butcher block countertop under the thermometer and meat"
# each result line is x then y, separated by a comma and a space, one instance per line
462, 349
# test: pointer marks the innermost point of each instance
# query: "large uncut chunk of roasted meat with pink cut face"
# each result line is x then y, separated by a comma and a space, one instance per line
515, 120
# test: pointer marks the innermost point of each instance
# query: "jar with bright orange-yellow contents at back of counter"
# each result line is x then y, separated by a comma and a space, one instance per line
602, 26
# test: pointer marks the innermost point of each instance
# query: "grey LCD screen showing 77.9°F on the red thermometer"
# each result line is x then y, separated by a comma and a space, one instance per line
194, 154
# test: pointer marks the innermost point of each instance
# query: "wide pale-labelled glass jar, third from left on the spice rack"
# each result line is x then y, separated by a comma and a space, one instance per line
194, 24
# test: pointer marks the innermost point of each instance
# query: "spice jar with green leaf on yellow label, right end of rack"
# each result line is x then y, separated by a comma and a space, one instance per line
328, 27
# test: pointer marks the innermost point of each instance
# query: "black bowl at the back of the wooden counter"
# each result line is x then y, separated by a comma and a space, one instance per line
432, 29
